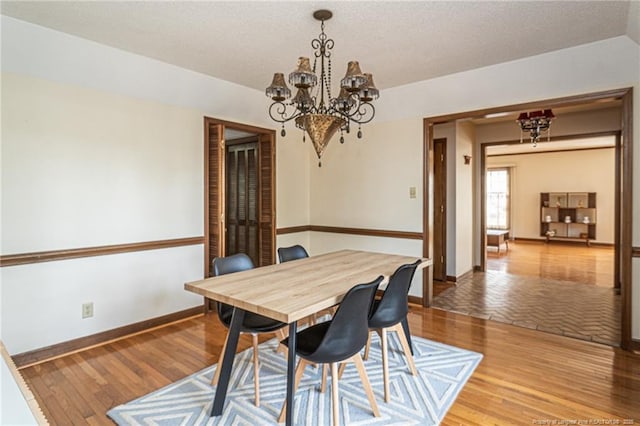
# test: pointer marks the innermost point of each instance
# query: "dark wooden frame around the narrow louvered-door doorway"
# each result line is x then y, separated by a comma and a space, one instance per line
269, 167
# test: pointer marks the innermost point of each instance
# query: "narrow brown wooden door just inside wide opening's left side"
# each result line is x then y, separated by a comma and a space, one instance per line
440, 209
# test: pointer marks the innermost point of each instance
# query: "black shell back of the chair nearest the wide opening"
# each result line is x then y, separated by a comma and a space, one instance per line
394, 305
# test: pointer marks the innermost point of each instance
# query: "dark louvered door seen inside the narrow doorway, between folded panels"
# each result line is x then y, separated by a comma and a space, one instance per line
241, 217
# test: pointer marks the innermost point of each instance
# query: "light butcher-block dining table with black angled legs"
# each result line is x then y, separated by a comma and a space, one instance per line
288, 292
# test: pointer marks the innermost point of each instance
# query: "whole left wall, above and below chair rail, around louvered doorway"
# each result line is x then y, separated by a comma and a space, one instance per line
99, 147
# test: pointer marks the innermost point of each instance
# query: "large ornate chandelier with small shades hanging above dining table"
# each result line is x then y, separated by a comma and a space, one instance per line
313, 108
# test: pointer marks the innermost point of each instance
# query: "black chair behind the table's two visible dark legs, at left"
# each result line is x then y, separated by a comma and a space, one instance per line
252, 323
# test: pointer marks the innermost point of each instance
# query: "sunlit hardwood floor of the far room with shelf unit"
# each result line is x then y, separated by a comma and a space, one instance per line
555, 260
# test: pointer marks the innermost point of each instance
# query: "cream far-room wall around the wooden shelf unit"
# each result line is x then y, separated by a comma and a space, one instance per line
568, 171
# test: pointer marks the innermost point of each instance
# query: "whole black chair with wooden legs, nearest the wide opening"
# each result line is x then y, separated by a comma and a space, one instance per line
388, 314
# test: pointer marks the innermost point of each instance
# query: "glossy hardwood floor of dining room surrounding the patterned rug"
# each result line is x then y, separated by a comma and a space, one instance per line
525, 376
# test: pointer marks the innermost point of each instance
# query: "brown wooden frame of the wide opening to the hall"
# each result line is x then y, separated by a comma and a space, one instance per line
624, 167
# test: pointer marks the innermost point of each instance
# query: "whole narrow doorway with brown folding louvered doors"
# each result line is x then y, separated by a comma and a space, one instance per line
239, 199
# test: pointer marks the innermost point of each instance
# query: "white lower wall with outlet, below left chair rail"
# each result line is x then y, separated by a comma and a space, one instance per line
43, 302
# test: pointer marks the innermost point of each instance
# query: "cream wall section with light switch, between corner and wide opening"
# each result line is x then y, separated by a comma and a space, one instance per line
365, 183
